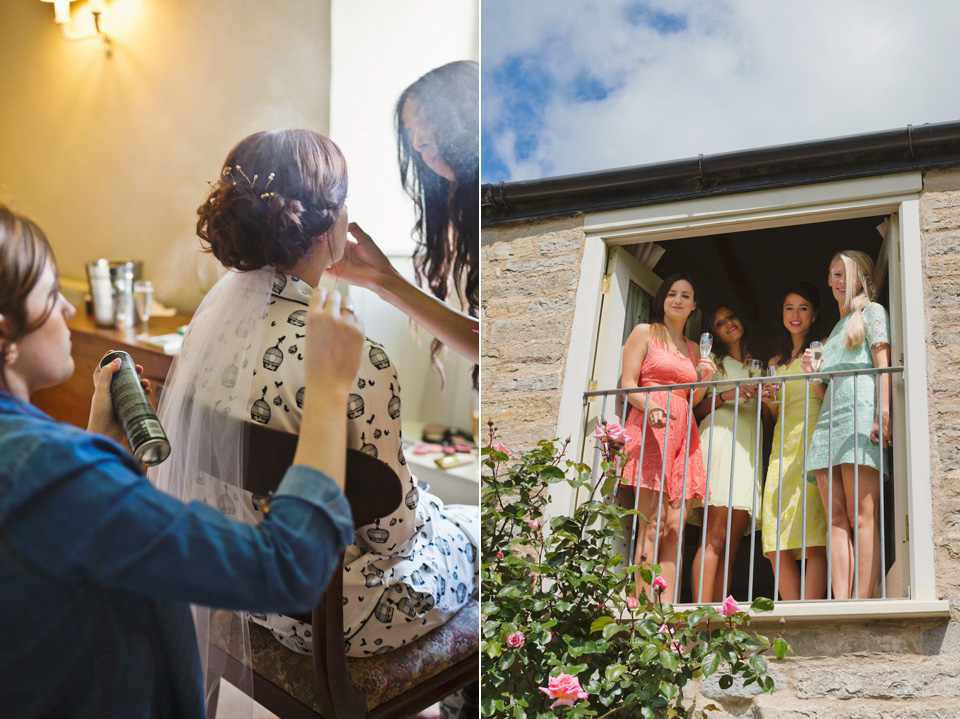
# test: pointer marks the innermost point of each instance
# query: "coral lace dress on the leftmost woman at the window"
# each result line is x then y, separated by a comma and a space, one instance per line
669, 450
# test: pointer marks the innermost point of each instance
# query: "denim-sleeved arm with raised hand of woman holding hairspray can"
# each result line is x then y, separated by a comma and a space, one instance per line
98, 517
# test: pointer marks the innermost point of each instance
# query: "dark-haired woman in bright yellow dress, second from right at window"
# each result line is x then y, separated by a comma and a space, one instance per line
794, 525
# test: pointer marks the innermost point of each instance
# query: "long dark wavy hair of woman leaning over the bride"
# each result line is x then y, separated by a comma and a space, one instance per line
447, 213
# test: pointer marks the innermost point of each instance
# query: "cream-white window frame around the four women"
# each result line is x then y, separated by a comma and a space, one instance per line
822, 202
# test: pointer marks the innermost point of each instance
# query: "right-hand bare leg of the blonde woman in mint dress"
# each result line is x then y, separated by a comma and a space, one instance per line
862, 507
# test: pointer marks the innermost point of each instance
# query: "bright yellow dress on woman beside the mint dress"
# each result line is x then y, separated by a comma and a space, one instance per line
797, 493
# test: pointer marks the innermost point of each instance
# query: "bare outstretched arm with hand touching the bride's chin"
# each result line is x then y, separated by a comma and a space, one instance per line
365, 265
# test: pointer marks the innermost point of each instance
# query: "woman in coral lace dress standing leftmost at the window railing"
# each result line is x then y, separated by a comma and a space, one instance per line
660, 425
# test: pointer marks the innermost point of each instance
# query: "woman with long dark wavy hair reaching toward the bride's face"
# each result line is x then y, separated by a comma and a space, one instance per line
437, 122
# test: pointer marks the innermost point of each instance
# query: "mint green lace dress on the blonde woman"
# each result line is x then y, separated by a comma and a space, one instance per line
838, 405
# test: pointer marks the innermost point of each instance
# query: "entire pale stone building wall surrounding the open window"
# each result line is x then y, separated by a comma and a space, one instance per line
854, 669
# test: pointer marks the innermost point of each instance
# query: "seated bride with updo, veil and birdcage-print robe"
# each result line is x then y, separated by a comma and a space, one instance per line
276, 219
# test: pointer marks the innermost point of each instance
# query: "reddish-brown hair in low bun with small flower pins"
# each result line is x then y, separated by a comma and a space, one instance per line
277, 193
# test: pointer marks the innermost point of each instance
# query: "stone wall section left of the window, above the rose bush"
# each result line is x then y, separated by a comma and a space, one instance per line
529, 276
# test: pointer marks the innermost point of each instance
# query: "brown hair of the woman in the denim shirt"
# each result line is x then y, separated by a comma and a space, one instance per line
24, 252
